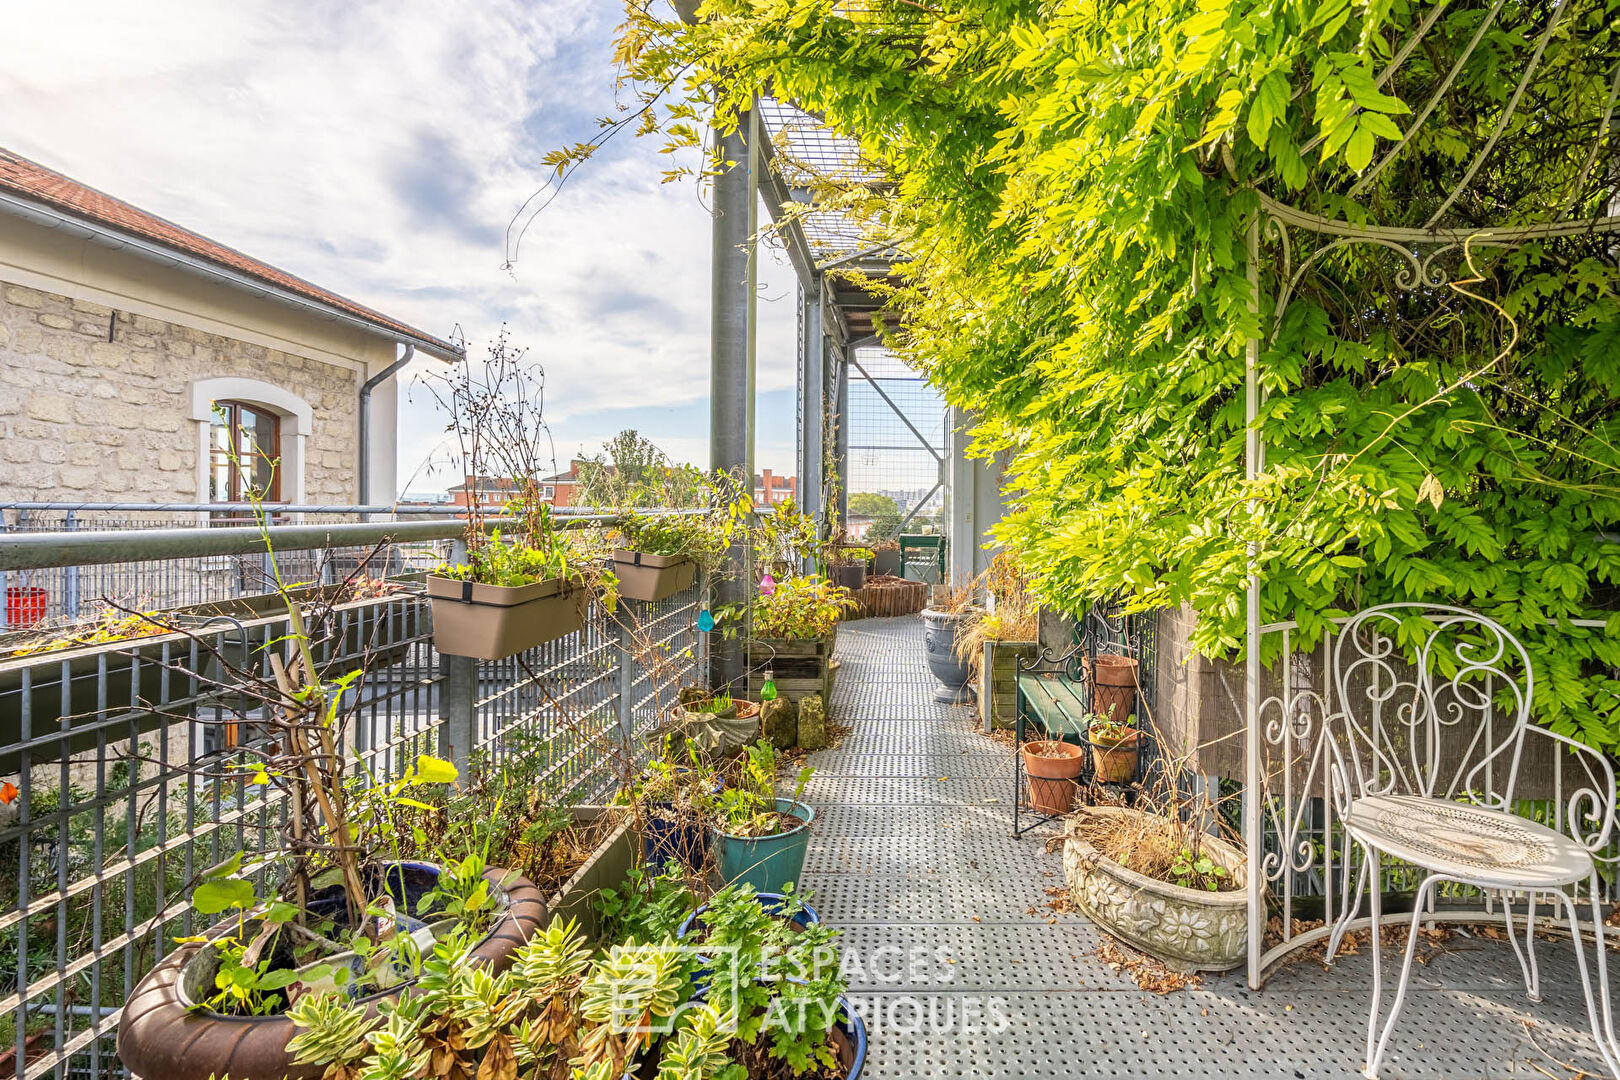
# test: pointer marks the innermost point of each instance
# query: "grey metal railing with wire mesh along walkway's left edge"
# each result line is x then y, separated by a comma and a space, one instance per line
109, 827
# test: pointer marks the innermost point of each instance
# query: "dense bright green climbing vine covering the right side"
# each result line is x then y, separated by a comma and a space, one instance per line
1076, 184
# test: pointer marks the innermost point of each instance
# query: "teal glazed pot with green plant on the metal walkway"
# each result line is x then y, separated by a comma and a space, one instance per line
761, 836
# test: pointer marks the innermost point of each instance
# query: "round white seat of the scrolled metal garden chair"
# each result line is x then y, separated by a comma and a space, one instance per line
1488, 848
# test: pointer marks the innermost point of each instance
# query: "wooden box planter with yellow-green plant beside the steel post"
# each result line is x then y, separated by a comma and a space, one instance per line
795, 637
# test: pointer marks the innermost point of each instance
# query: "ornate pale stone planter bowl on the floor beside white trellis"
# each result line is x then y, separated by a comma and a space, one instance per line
1192, 930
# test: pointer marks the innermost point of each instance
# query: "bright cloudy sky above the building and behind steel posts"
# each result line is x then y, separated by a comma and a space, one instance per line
382, 151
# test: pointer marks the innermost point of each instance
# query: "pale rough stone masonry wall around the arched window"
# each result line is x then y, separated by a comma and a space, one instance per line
83, 419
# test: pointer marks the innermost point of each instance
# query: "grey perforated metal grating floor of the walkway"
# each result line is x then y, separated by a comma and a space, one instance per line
961, 969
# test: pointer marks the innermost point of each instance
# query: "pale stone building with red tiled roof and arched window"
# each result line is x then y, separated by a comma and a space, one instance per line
145, 364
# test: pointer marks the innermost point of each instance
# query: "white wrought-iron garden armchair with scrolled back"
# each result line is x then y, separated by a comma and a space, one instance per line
1426, 765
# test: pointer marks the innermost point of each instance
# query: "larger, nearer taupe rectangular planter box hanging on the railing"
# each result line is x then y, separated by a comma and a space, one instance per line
497, 621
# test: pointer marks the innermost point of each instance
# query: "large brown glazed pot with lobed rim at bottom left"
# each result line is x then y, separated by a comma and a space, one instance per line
161, 1037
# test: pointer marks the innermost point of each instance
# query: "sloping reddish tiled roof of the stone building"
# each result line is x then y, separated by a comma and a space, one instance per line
43, 185
